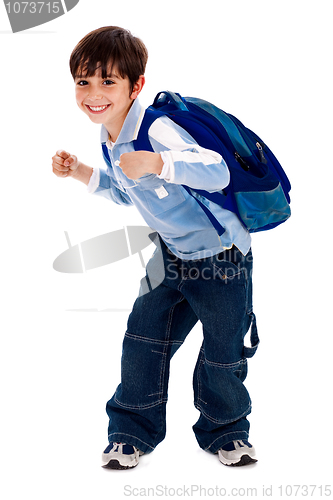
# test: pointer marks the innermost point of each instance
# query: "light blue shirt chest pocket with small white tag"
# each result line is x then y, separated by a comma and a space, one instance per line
161, 196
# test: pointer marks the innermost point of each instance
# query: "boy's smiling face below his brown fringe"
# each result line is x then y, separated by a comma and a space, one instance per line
106, 101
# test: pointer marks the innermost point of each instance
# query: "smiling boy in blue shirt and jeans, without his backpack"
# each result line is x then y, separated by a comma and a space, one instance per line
207, 277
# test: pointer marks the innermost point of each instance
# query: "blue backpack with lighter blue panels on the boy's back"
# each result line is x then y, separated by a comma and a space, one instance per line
258, 192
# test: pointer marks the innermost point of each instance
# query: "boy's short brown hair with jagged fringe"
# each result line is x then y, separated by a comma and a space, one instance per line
109, 45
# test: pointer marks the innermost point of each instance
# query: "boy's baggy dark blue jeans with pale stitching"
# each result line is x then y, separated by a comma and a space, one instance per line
218, 292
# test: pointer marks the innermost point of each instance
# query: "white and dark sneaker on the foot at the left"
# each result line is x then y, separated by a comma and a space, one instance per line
120, 456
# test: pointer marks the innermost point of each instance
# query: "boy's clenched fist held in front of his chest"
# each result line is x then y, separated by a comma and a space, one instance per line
138, 163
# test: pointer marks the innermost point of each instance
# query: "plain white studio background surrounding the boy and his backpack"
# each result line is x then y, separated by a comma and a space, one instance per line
268, 63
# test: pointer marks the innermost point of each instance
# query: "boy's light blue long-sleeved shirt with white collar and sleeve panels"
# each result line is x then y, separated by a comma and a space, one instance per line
163, 203
